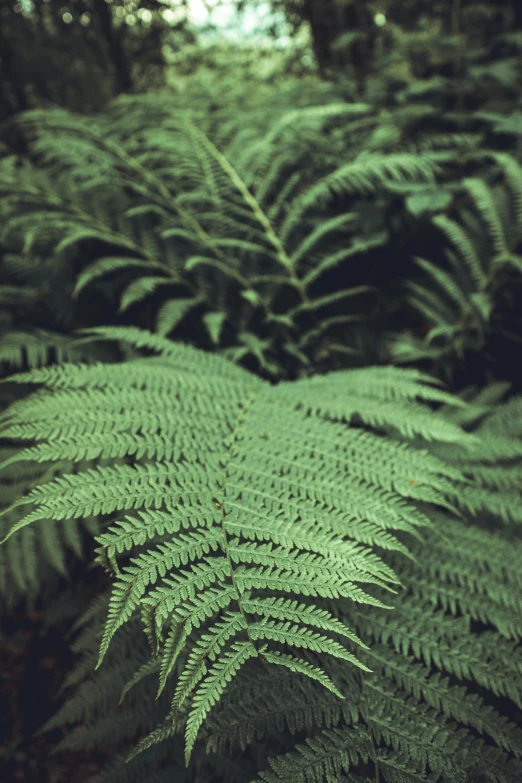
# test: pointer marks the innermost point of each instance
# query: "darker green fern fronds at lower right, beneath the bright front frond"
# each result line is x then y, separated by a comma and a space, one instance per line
446, 663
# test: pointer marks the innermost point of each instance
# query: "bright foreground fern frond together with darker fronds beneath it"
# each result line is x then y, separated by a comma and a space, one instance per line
297, 578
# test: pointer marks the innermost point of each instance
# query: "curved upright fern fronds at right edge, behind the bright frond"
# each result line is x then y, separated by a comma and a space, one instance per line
483, 246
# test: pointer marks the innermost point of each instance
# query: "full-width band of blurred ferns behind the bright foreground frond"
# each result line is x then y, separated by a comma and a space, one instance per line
249, 238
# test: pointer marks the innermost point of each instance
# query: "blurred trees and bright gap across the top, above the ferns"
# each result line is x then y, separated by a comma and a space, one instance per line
79, 54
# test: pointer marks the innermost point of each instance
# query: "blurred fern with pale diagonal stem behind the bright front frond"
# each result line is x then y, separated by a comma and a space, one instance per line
219, 230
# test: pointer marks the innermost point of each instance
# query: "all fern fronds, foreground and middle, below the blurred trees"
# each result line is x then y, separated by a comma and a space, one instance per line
262, 518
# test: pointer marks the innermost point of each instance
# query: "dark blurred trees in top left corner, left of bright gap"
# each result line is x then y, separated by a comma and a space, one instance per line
80, 53
